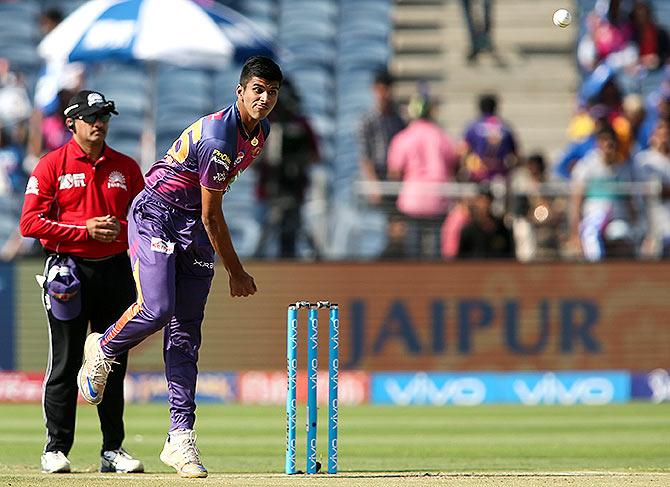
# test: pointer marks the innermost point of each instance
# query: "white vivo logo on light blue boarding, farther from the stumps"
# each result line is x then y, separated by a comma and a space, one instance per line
550, 390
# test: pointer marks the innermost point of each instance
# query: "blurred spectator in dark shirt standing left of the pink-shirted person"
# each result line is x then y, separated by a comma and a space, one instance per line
377, 129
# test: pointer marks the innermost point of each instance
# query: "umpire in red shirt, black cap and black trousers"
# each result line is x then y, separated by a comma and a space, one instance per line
76, 203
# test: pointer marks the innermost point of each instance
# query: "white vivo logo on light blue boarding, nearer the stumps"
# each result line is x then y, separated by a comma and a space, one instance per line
422, 389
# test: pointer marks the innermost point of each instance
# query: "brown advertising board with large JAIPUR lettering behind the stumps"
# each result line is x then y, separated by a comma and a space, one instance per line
416, 316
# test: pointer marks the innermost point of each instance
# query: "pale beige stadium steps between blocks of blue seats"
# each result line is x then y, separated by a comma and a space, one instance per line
536, 86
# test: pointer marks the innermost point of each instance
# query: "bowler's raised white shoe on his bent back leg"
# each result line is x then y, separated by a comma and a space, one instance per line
94, 370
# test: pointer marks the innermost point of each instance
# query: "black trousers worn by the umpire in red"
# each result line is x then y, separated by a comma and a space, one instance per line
107, 289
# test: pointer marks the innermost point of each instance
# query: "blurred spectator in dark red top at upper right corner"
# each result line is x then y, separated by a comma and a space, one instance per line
651, 39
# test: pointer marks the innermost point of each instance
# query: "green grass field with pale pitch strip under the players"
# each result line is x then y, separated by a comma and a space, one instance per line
619, 445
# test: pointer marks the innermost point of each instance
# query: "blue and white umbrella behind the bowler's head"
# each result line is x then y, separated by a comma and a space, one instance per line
174, 31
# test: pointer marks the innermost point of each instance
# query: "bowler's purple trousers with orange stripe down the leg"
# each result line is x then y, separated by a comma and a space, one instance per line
173, 265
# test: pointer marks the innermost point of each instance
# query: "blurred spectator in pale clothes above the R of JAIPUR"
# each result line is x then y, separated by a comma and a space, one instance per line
601, 218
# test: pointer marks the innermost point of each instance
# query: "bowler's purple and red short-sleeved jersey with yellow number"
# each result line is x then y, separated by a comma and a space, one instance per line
212, 152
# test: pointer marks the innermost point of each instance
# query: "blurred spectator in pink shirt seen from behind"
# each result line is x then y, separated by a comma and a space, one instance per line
423, 157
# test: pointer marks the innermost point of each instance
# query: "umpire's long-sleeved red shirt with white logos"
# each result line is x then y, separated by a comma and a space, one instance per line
67, 188
